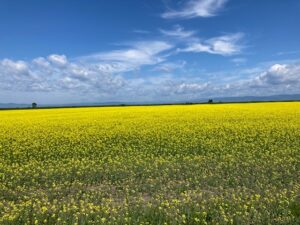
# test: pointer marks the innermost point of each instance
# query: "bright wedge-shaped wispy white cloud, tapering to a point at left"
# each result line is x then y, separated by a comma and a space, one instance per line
225, 45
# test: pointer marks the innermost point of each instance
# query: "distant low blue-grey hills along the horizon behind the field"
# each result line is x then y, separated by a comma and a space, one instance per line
294, 97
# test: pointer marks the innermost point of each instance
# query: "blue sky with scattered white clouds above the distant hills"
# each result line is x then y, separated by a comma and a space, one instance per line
64, 51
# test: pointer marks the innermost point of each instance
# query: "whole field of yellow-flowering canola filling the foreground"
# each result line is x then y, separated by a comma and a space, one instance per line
189, 164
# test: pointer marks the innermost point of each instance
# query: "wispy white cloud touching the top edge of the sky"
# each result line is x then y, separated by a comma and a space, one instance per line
196, 8
